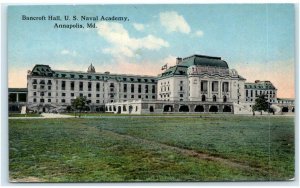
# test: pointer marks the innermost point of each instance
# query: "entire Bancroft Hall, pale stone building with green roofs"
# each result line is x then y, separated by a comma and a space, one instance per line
195, 84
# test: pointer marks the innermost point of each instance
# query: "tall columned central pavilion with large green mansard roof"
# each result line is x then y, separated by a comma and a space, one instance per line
201, 78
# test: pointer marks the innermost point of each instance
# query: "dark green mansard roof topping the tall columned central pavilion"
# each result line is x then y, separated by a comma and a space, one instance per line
202, 60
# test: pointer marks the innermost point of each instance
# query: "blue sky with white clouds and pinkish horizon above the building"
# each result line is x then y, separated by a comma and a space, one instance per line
258, 40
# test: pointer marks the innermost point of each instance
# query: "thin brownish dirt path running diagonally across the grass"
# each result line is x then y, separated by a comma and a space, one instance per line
193, 153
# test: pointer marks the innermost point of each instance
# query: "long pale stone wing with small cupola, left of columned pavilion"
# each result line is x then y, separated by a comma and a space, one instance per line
53, 90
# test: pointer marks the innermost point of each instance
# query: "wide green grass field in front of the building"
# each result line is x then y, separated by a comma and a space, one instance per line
233, 148
